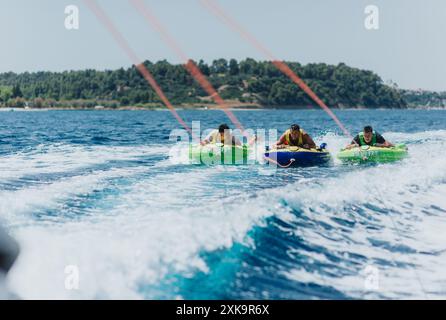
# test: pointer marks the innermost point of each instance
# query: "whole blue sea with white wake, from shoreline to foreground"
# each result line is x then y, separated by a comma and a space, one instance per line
103, 192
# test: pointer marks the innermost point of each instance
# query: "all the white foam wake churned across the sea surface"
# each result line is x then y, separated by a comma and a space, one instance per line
158, 226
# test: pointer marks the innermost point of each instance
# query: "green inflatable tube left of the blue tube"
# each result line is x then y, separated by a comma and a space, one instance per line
213, 154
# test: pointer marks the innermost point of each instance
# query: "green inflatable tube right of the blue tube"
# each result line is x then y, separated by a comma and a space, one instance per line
373, 154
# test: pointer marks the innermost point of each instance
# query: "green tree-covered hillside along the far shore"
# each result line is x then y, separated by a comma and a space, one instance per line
247, 83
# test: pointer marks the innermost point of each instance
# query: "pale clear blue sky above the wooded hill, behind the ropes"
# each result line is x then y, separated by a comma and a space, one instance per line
409, 48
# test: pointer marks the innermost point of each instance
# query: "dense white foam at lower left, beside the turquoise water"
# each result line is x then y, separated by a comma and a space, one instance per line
134, 245
